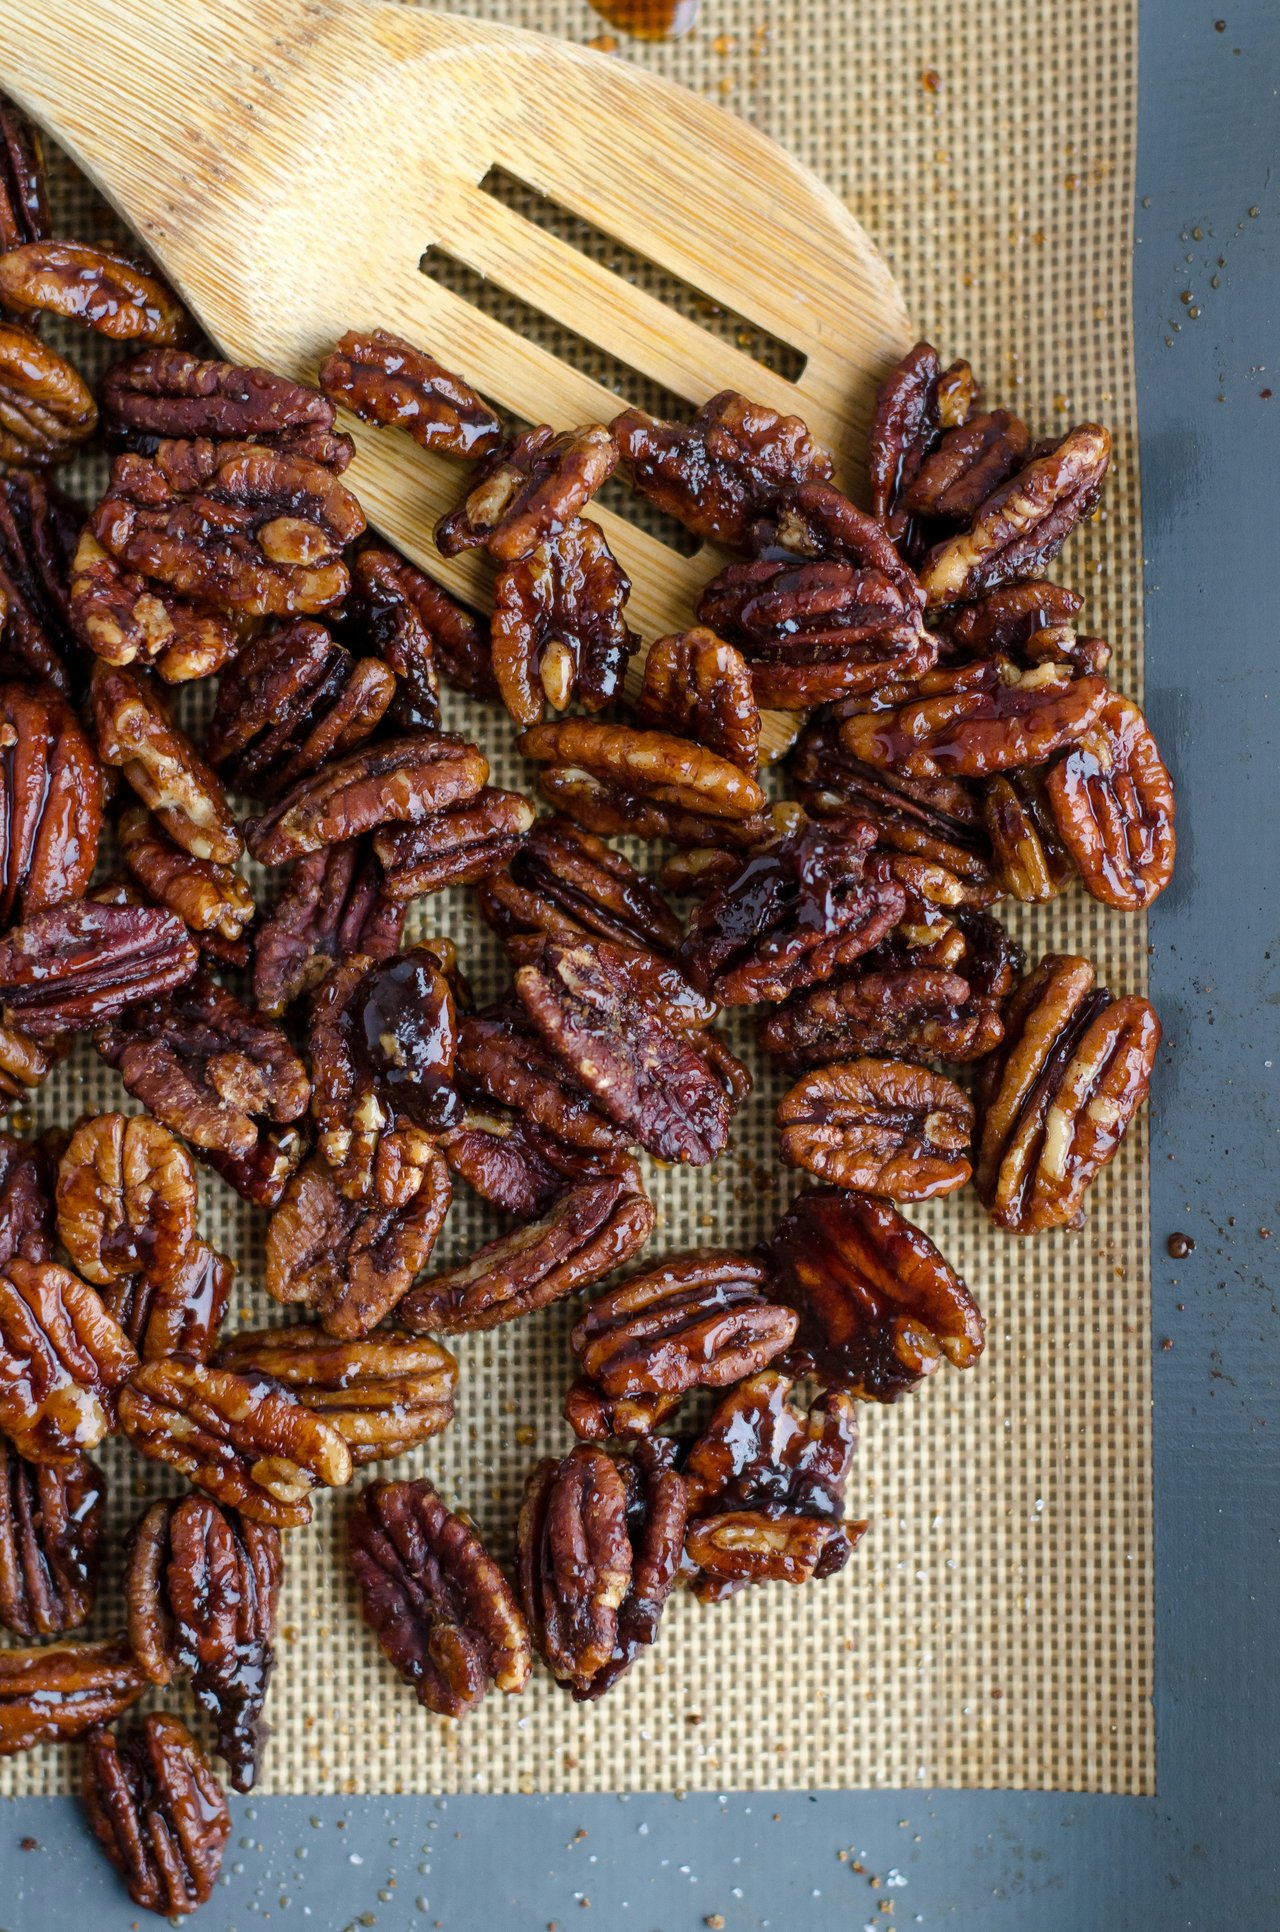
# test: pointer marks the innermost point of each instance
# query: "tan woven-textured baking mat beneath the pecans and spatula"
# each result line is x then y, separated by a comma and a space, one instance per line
995, 1628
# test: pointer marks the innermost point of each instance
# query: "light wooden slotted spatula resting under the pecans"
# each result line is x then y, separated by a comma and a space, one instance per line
289, 163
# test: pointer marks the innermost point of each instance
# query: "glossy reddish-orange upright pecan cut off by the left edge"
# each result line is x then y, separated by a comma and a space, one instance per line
51, 803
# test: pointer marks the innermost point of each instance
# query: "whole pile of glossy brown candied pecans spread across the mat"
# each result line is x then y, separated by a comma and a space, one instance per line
960, 747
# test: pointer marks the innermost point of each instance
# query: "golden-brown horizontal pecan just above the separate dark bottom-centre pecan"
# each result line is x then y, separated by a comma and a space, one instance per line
383, 1394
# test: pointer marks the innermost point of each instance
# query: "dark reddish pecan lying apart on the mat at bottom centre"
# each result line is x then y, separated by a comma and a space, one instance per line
441, 1608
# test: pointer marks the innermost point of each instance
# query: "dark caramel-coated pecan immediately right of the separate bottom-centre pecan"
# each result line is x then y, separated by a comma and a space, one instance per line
599, 1550
